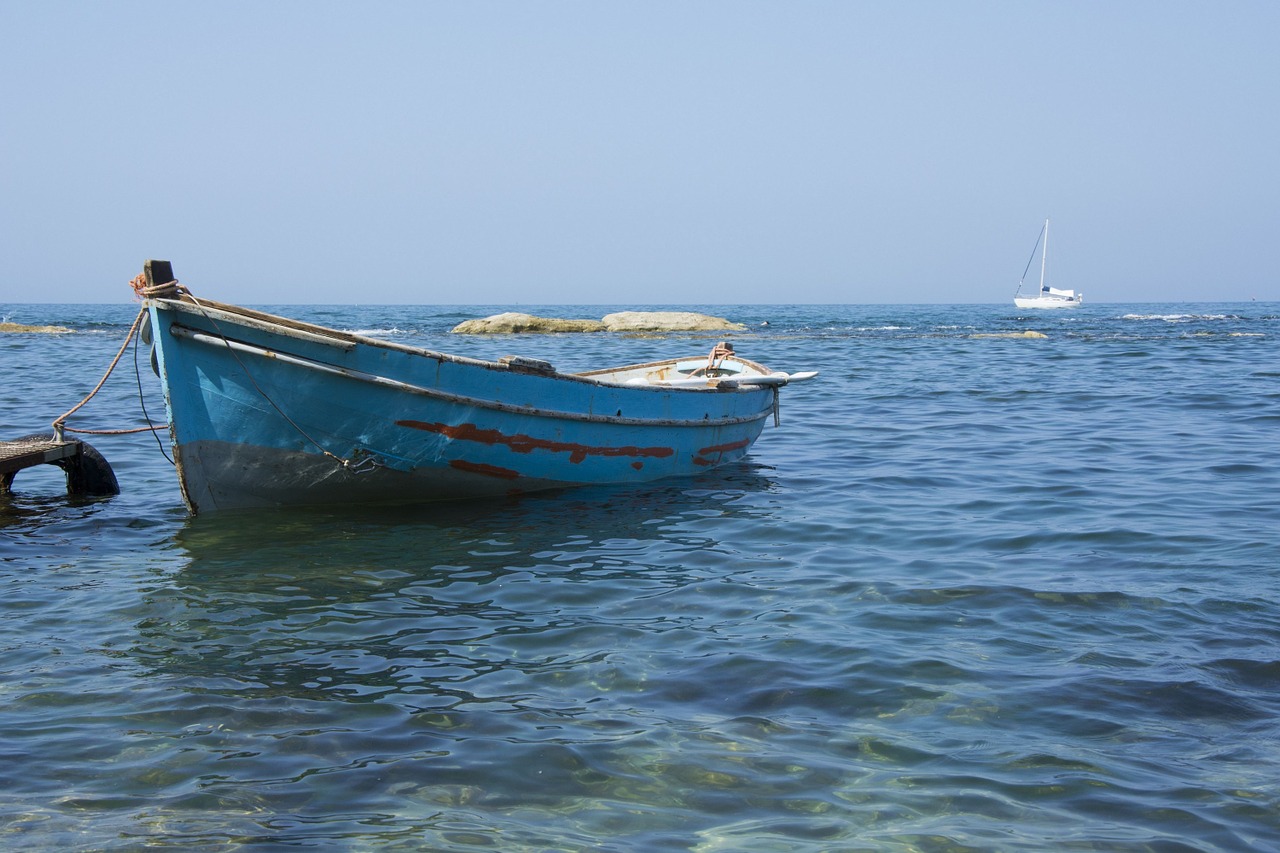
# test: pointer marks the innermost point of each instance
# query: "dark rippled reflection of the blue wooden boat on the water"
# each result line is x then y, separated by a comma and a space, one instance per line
356, 604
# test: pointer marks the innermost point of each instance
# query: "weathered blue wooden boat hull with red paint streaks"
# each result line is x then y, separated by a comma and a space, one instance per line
268, 412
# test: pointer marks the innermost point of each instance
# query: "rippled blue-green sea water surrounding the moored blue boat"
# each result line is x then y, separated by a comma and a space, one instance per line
976, 592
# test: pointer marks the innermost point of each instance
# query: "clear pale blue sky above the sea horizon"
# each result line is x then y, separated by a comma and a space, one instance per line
639, 153
